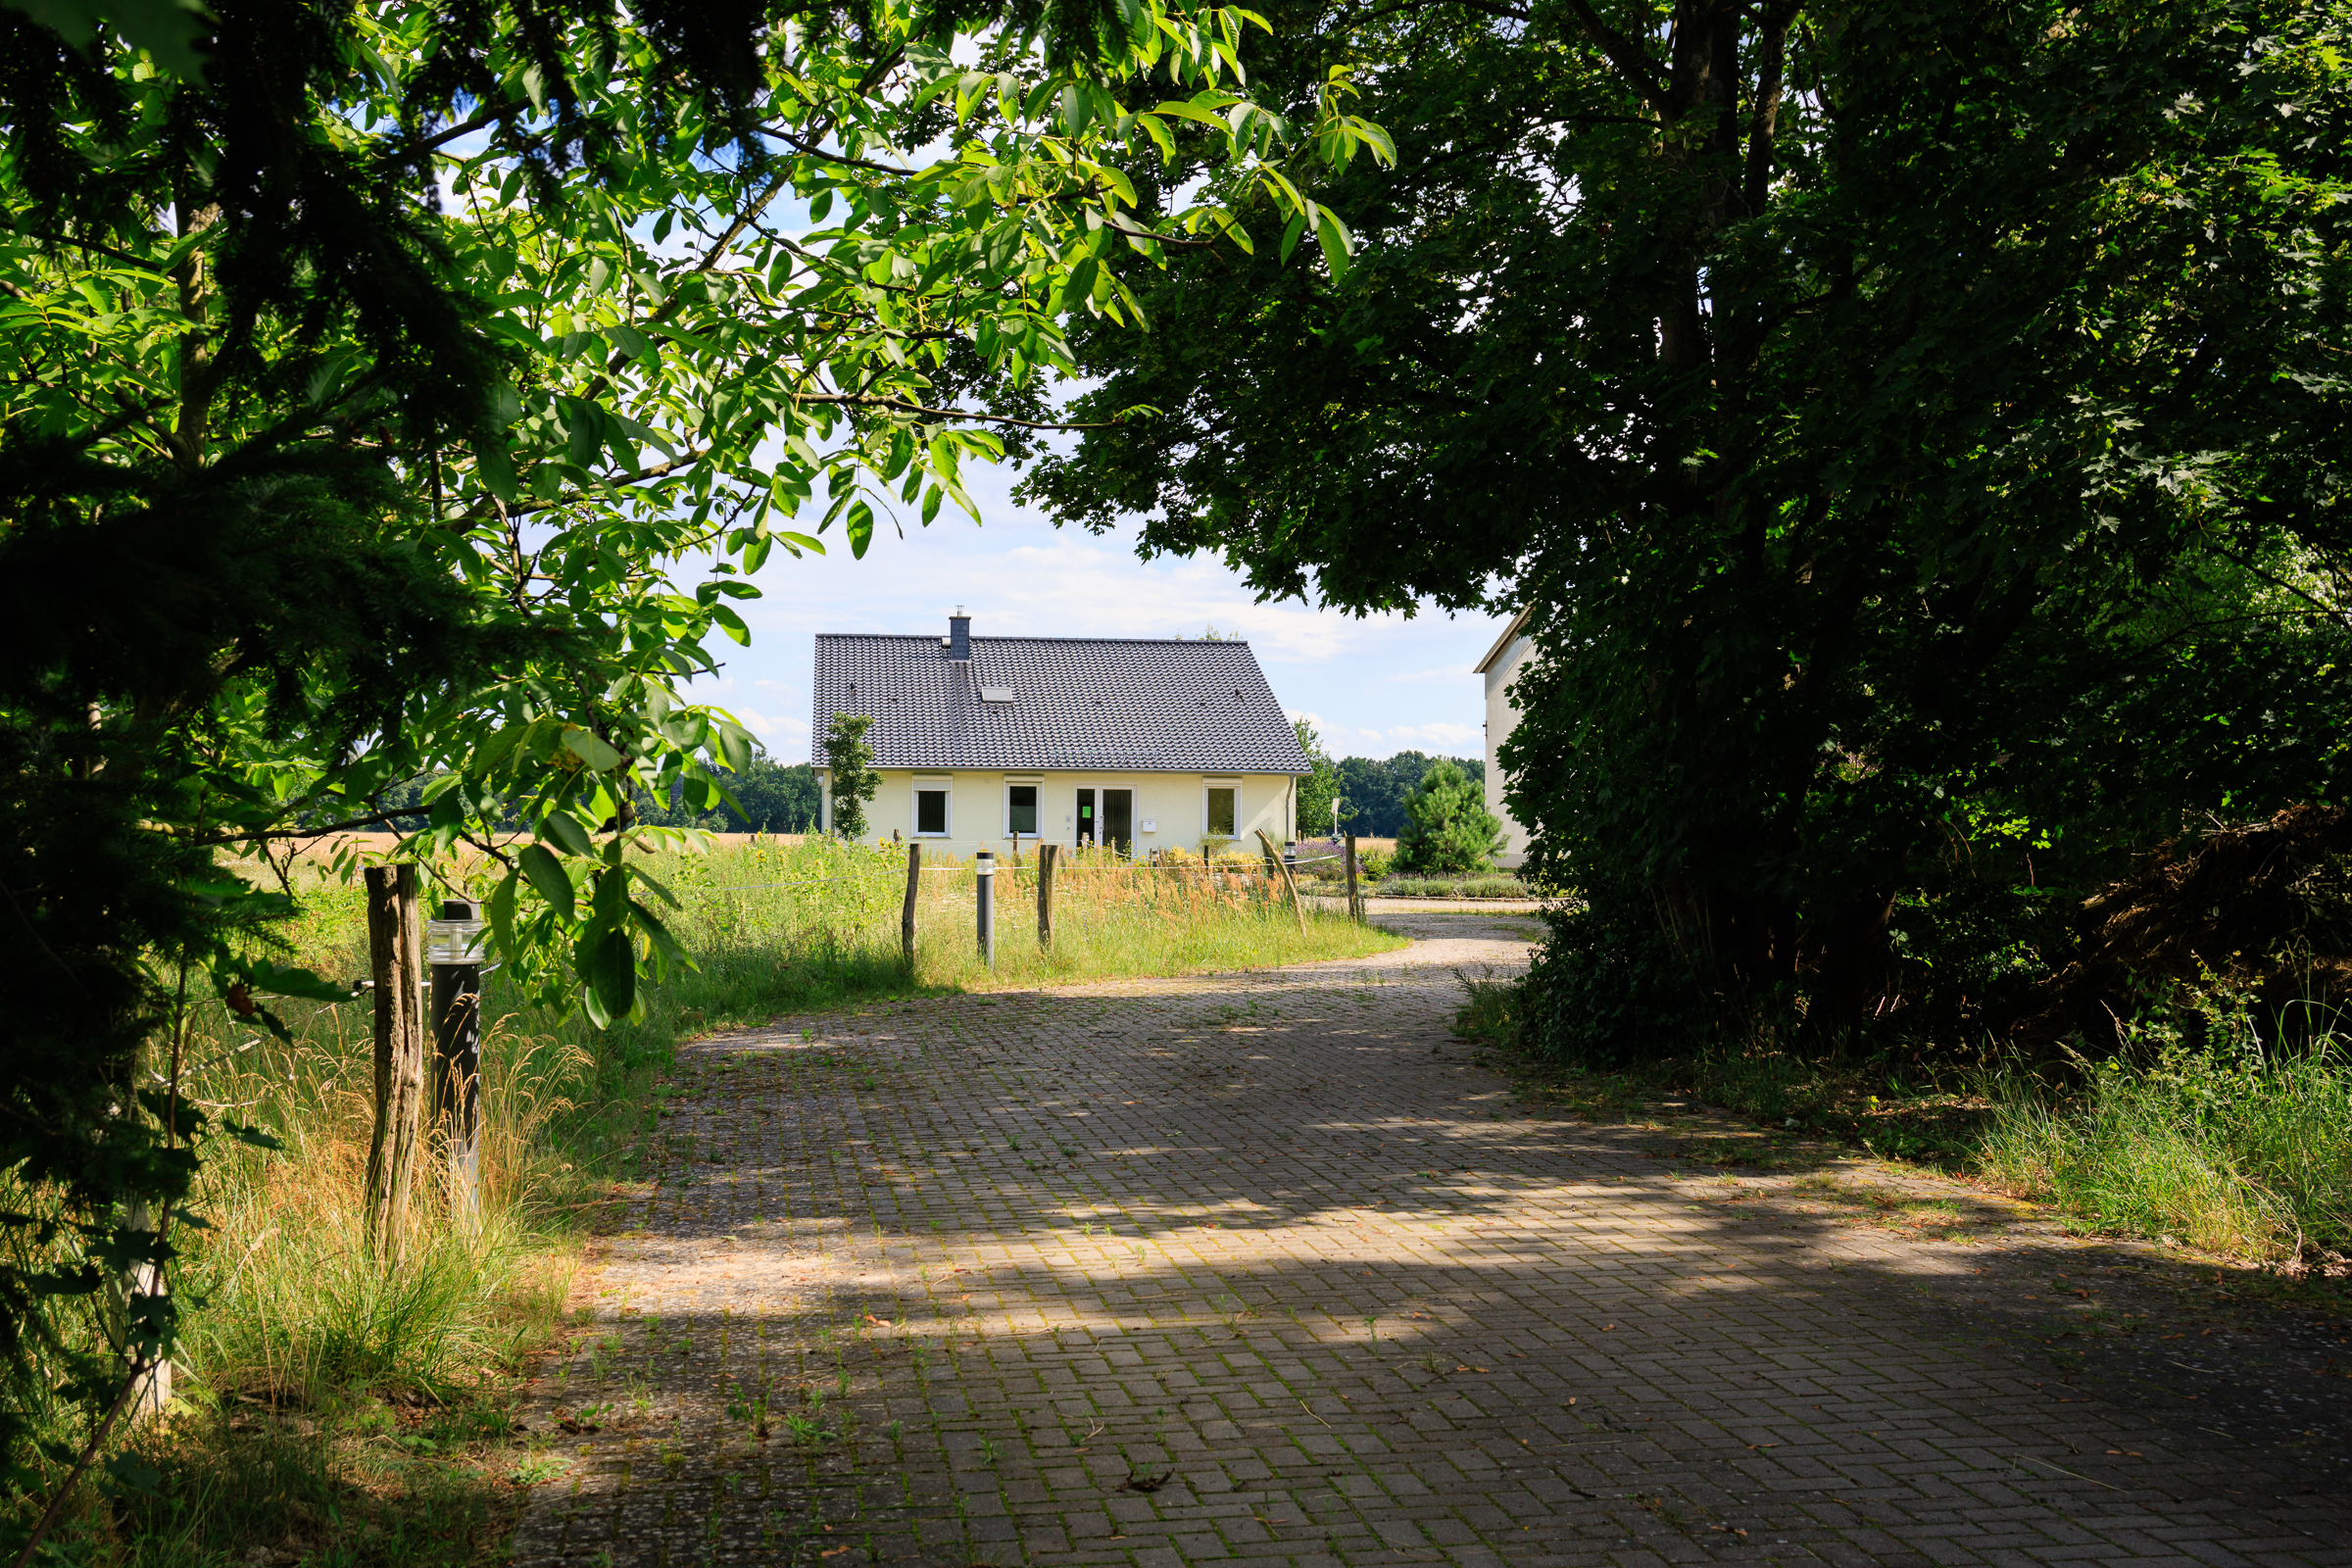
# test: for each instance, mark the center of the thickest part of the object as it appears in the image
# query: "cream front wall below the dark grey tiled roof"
(1170, 810)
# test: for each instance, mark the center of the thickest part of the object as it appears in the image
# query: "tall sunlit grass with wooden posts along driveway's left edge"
(354, 1407)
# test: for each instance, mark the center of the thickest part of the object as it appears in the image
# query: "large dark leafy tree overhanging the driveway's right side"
(1916, 434)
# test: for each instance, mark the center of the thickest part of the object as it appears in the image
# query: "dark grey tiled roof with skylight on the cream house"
(1076, 704)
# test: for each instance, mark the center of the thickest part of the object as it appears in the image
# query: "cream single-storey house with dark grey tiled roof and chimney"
(1135, 744)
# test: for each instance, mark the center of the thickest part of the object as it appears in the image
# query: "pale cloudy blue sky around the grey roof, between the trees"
(1372, 688)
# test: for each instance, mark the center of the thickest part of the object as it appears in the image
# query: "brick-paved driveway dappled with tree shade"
(1262, 1271)
